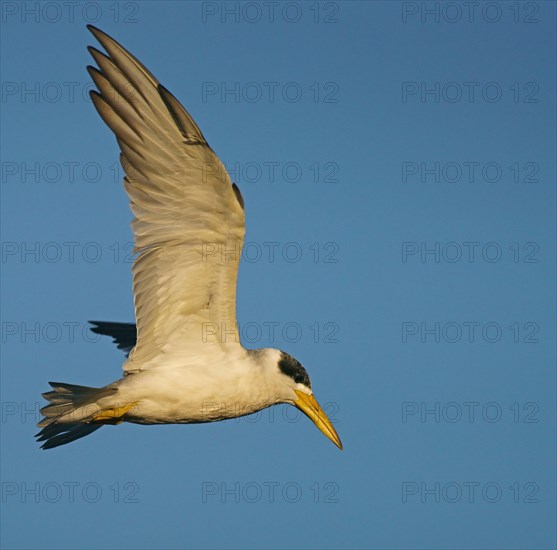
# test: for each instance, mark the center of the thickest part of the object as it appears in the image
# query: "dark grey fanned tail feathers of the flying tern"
(68, 415)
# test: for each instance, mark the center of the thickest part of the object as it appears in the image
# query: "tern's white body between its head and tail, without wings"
(233, 385)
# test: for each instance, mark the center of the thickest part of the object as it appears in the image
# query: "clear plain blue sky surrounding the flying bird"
(404, 169)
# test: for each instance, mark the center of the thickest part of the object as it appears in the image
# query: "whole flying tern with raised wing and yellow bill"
(186, 209)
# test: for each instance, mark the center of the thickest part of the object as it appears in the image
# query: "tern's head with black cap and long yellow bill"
(295, 389)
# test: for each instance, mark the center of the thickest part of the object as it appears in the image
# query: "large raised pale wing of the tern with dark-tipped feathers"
(189, 217)
